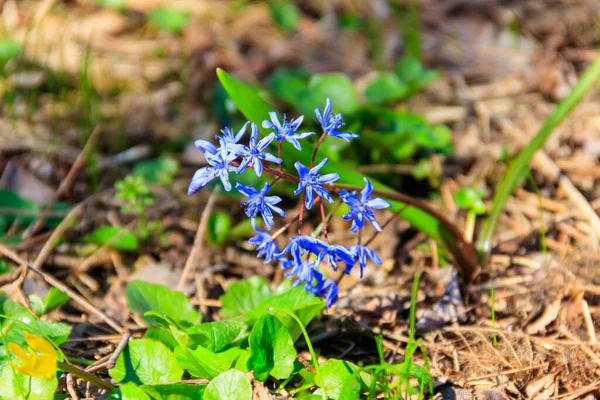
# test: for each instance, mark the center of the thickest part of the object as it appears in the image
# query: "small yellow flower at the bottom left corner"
(39, 361)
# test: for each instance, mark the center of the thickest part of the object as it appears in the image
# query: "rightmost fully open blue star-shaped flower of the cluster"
(361, 208)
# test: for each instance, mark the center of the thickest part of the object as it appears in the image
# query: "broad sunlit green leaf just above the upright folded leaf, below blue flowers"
(306, 306)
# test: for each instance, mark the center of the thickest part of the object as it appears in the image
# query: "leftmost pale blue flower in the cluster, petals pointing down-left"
(218, 166)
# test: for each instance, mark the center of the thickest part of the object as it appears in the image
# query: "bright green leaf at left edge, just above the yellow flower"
(15, 319)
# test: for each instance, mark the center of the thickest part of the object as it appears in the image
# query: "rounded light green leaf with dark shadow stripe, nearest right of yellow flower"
(146, 361)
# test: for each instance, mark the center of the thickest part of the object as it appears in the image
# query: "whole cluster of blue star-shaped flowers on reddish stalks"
(304, 256)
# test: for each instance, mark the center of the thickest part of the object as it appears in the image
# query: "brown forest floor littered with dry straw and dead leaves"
(504, 67)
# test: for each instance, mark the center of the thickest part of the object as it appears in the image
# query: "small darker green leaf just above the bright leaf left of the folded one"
(217, 335)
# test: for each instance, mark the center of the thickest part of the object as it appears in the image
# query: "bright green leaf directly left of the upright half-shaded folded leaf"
(203, 363)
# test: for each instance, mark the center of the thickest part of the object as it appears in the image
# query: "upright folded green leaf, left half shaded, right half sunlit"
(271, 349)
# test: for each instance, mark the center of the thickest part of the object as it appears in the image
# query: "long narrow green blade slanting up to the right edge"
(518, 166)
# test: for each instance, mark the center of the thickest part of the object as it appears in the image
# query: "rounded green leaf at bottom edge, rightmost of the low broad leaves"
(336, 377)
